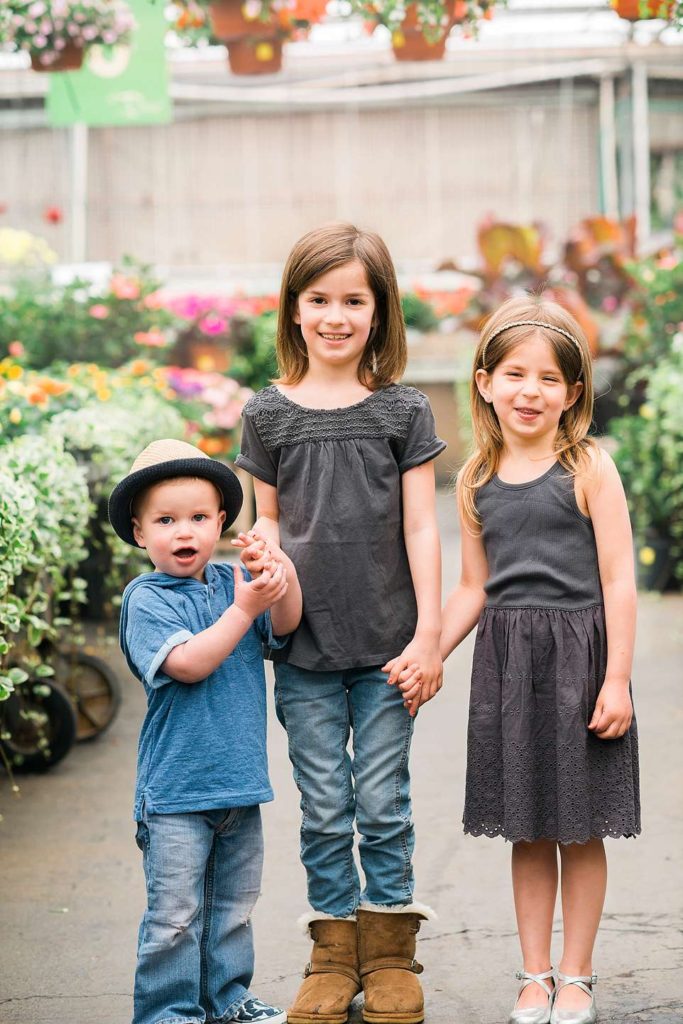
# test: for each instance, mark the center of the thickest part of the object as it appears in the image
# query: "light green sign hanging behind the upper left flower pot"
(127, 86)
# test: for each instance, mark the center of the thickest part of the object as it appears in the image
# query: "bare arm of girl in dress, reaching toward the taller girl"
(466, 602)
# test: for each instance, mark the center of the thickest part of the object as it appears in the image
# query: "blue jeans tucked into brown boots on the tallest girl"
(319, 711)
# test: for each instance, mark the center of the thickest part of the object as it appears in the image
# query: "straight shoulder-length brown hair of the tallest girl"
(320, 251)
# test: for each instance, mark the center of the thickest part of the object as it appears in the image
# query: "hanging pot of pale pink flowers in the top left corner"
(56, 33)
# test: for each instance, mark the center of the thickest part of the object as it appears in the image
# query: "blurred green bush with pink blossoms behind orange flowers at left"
(75, 323)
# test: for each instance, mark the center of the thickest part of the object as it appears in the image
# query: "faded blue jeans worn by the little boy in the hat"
(196, 951)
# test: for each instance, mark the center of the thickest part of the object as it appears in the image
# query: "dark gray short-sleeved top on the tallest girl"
(338, 478)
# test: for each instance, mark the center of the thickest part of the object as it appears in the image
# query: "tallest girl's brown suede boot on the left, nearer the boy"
(331, 979)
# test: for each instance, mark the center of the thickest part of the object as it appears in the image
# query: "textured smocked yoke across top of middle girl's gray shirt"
(386, 414)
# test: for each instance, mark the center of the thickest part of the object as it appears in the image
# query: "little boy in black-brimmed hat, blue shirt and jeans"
(192, 632)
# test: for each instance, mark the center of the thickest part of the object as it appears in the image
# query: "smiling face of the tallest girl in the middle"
(336, 314)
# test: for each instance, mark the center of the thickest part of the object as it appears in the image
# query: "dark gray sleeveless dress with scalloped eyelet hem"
(534, 771)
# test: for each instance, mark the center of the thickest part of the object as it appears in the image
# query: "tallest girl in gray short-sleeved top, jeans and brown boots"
(343, 460)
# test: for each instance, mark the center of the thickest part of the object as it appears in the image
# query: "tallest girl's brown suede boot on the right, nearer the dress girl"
(389, 968)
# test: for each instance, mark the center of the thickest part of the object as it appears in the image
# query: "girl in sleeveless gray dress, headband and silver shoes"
(547, 572)
